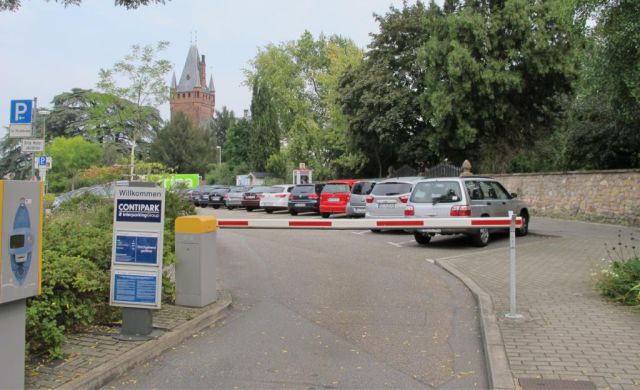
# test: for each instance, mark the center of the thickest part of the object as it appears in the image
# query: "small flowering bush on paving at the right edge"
(621, 280)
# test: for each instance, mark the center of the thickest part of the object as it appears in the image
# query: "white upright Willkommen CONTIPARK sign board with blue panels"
(138, 230)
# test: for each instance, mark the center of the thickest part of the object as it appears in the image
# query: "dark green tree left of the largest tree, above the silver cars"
(381, 96)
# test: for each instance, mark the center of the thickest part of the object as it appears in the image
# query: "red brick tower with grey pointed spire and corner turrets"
(192, 96)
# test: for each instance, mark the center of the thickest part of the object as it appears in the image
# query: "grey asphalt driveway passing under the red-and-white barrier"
(331, 309)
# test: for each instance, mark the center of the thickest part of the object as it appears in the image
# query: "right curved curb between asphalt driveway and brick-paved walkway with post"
(498, 372)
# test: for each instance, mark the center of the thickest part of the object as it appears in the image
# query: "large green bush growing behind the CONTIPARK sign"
(76, 270)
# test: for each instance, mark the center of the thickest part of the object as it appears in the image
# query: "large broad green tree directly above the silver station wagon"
(496, 74)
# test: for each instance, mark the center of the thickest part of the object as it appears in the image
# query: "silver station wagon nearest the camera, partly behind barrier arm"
(471, 196)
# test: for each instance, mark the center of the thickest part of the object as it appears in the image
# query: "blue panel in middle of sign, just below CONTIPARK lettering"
(136, 248)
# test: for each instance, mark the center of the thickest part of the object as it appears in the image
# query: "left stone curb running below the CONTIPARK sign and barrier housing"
(99, 376)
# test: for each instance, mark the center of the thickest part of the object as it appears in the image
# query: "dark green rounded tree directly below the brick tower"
(182, 146)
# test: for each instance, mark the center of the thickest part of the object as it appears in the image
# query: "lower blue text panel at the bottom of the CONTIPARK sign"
(131, 287)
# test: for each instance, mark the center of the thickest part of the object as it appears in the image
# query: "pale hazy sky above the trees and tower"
(47, 49)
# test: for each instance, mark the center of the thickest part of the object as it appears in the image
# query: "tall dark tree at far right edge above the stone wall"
(604, 117)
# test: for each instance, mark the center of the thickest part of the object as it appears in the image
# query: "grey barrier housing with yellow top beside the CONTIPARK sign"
(195, 260)
